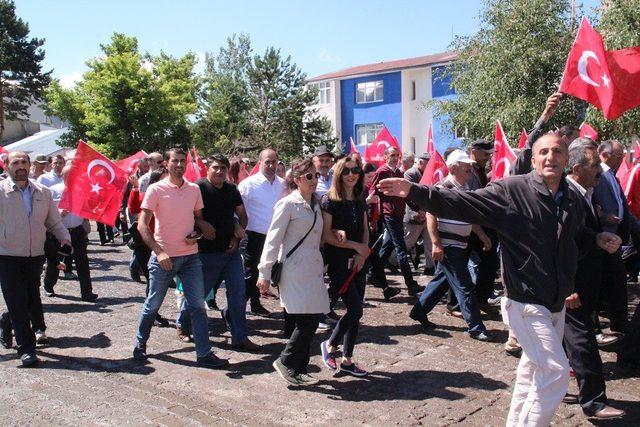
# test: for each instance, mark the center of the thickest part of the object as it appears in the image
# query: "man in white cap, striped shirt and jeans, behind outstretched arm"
(449, 241)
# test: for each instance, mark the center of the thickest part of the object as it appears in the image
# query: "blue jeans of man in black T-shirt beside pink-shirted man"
(227, 266)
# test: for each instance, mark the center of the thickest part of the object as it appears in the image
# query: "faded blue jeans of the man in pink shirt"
(189, 269)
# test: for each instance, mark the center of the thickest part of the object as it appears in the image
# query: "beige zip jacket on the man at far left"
(21, 235)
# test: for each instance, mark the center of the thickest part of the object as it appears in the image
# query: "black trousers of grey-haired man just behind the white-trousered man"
(584, 357)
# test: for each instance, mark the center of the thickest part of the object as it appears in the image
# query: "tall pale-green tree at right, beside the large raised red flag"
(510, 66)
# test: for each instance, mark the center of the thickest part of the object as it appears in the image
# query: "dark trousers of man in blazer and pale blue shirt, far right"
(614, 290)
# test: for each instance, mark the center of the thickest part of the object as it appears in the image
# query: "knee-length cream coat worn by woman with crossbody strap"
(302, 288)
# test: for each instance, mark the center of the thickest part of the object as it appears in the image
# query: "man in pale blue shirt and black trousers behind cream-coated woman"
(259, 192)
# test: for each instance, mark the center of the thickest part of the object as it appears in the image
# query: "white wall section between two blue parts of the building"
(416, 118)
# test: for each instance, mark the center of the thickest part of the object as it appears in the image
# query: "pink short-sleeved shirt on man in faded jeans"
(173, 208)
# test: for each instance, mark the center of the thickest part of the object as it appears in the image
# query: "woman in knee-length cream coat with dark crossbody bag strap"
(303, 293)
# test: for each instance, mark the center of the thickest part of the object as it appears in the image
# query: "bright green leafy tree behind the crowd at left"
(128, 101)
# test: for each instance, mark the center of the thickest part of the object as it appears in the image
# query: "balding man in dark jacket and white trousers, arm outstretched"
(540, 227)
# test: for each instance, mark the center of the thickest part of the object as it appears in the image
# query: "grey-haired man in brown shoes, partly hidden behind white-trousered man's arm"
(579, 333)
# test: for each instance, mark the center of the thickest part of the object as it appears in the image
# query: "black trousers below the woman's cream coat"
(297, 352)
